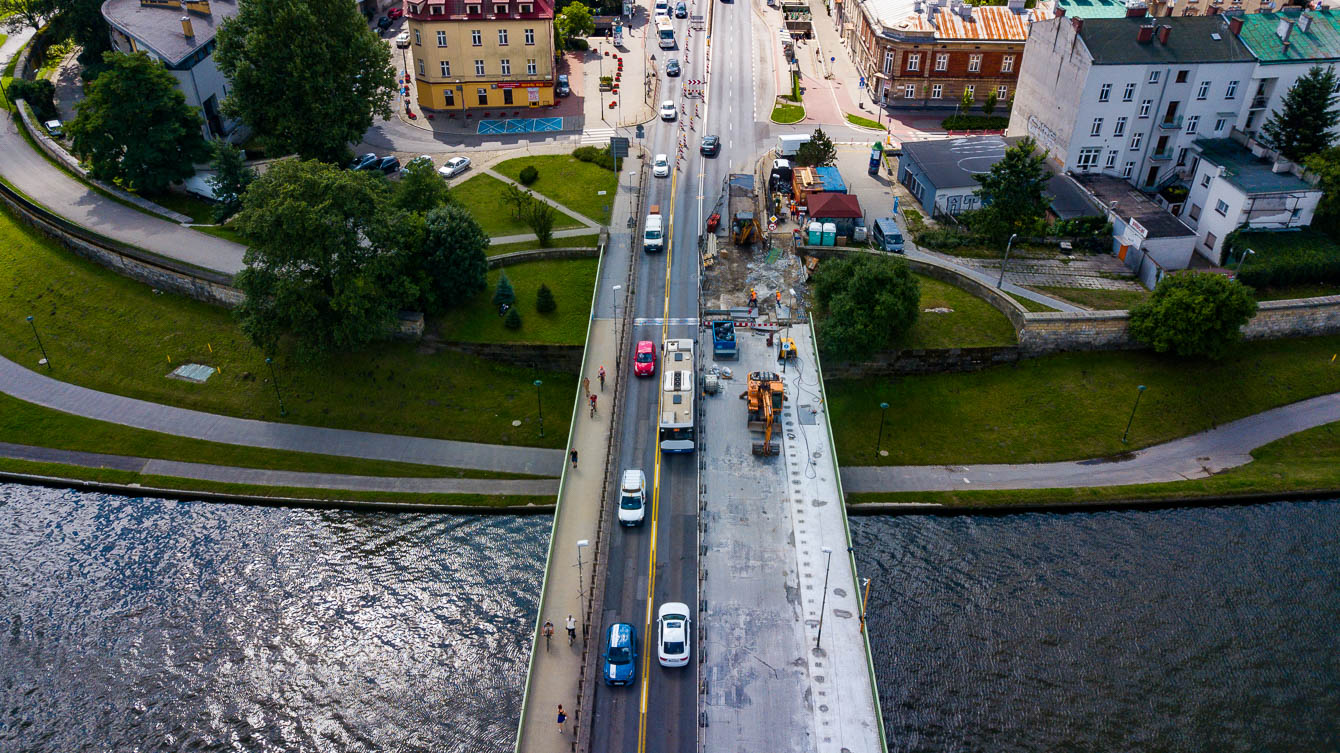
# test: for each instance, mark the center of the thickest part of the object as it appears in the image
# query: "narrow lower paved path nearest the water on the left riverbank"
(290, 479)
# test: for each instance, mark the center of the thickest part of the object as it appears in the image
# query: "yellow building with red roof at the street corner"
(480, 54)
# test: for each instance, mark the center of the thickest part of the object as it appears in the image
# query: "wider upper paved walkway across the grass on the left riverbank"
(38, 389)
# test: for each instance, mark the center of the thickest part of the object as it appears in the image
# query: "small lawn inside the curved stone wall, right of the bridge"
(974, 324)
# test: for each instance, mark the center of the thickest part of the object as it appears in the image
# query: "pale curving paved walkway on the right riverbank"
(1197, 456)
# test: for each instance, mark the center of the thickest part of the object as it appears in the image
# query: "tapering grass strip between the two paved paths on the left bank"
(29, 424)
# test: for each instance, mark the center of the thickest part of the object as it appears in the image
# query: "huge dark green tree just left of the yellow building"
(308, 76)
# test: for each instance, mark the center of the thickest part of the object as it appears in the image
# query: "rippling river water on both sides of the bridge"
(148, 625)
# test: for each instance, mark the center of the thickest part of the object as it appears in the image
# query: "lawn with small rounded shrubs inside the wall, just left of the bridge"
(572, 281)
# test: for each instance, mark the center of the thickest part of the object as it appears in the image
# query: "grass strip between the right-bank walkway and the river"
(1309, 462)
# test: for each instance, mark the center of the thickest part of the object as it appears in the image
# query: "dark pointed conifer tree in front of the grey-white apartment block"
(1012, 192)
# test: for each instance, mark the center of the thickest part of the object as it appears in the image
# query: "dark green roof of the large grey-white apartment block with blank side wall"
(1193, 40)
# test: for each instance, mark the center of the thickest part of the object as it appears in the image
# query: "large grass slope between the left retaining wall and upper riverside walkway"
(113, 334)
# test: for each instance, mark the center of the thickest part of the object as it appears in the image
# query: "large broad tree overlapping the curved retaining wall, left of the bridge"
(312, 273)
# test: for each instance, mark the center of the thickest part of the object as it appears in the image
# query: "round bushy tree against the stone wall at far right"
(1193, 314)
